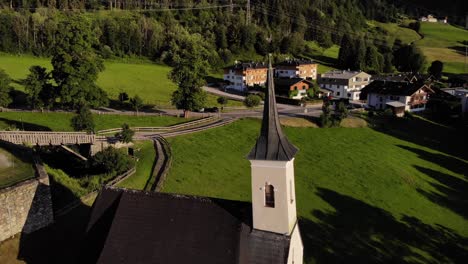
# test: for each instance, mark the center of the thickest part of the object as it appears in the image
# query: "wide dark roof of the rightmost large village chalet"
(393, 88)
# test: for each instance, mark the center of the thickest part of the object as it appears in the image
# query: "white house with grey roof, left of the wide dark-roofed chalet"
(344, 84)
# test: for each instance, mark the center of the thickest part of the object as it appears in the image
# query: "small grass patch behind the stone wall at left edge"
(14, 167)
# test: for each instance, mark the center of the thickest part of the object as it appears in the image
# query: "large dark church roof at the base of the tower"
(141, 227)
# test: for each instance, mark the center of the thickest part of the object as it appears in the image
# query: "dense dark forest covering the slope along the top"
(155, 28)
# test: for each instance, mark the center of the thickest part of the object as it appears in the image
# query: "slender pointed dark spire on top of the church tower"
(272, 144)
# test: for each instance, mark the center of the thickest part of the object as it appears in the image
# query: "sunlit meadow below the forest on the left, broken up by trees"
(149, 81)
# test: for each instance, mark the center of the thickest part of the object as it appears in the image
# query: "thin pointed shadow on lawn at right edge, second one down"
(453, 164)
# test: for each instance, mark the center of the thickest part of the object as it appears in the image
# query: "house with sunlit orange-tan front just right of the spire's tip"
(305, 69)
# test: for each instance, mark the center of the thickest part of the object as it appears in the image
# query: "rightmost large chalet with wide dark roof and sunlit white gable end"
(400, 96)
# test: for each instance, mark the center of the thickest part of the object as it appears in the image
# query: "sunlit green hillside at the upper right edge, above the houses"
(443, 42)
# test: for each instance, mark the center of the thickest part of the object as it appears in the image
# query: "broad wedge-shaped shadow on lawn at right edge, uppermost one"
(419, 131)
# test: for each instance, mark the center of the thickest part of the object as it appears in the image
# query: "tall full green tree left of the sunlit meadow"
(76, 66)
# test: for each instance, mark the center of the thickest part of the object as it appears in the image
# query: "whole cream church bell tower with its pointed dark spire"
(272, 168)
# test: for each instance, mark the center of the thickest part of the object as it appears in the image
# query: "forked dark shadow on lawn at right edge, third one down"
(452, 192)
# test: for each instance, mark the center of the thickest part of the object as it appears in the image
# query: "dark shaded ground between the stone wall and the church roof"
(60, 242)
